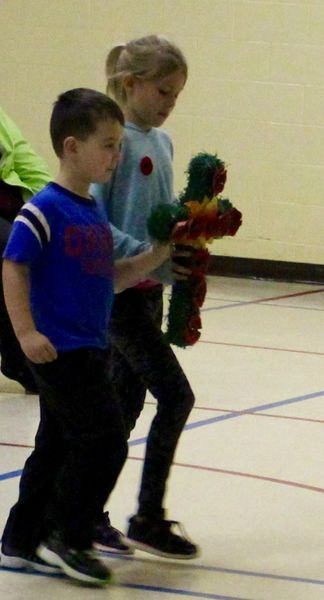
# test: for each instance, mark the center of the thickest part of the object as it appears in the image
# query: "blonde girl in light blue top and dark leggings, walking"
(146, 76)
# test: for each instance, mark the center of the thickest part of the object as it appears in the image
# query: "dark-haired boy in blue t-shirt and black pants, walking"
(59, 280)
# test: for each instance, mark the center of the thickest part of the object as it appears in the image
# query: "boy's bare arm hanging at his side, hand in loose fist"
(35, 345)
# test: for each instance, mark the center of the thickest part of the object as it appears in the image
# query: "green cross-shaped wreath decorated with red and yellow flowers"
(200, 216)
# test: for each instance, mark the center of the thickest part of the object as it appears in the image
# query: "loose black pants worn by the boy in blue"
(80, 448)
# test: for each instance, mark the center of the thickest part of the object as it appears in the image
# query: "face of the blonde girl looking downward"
(149, 103)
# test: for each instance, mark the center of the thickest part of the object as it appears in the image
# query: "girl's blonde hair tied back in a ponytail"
(149, 58)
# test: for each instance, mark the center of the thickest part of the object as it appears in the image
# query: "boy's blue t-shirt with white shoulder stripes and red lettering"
(67, 243)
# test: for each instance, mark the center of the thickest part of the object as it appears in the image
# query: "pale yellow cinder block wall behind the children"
(255, 95)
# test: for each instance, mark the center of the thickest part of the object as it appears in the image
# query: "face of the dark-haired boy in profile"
(98, 155)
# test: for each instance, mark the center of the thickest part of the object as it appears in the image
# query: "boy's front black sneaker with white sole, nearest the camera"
(82, 565)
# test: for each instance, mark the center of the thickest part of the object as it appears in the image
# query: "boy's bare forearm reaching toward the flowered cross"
(130, 270)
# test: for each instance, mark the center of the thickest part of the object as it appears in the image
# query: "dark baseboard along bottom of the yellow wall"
(233, 266)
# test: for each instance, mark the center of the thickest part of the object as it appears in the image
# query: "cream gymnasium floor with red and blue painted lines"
(248, 478)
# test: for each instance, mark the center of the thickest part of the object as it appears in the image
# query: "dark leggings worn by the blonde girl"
(142, 360)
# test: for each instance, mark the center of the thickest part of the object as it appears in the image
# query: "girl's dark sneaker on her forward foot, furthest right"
(156, 537)
